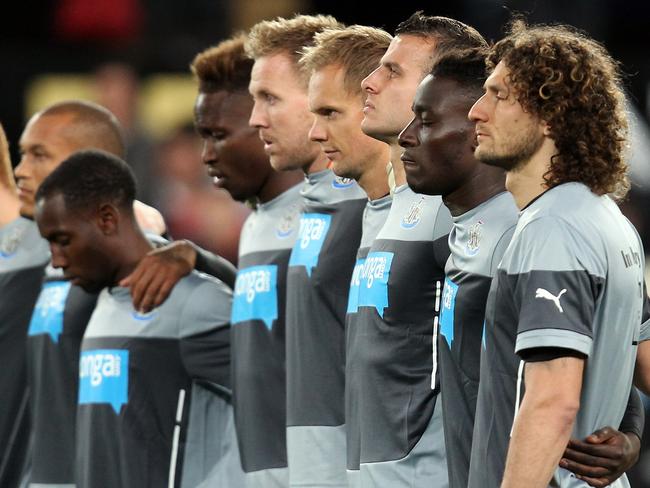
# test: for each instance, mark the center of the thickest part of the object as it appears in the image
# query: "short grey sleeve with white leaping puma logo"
(556, 281)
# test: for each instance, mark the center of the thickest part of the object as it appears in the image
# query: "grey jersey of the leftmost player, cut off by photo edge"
(23, 256)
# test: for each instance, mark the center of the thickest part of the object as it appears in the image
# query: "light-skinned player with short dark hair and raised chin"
(393, 365)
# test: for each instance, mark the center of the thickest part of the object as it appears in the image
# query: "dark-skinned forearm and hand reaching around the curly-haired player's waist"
(603, 456)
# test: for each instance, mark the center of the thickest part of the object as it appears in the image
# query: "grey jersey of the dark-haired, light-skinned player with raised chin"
(393, 360)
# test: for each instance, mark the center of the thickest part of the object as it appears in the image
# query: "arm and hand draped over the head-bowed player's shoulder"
(159, 271)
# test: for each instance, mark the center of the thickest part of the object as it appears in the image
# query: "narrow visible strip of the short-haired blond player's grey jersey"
(374, 217)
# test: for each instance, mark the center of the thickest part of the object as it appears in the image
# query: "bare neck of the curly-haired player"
(526, 182)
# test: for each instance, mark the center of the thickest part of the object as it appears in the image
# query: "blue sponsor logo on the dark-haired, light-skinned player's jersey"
(373, 281)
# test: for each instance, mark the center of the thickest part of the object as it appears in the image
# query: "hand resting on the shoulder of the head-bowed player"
(157, 274)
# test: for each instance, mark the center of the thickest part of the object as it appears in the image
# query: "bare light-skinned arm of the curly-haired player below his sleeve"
(544, 421)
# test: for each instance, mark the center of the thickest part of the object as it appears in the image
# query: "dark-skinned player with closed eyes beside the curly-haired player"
(484, 217)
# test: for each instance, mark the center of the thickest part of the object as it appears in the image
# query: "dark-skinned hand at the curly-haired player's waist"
(602, 457)
